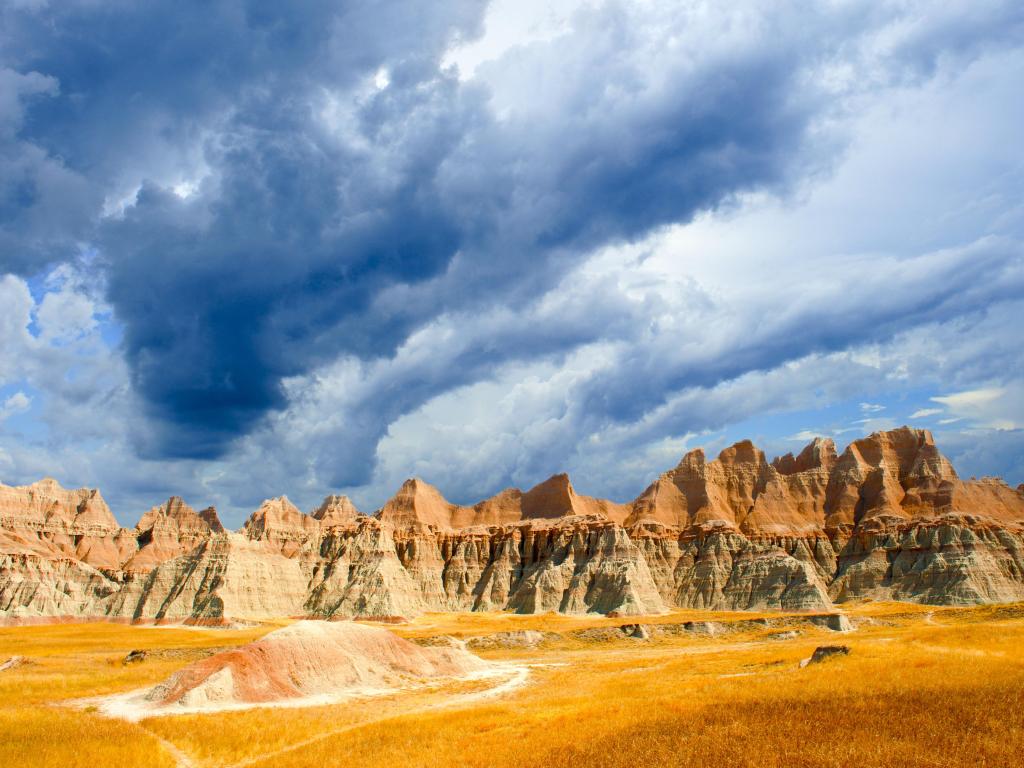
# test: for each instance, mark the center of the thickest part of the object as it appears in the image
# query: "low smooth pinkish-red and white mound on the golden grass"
(306, 664)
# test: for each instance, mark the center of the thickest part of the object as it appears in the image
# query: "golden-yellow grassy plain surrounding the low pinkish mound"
(921, 688)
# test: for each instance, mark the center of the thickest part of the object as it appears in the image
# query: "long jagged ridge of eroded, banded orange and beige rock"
(889, 519)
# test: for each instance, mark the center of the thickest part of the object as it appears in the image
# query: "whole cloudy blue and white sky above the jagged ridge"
(252, 249)
